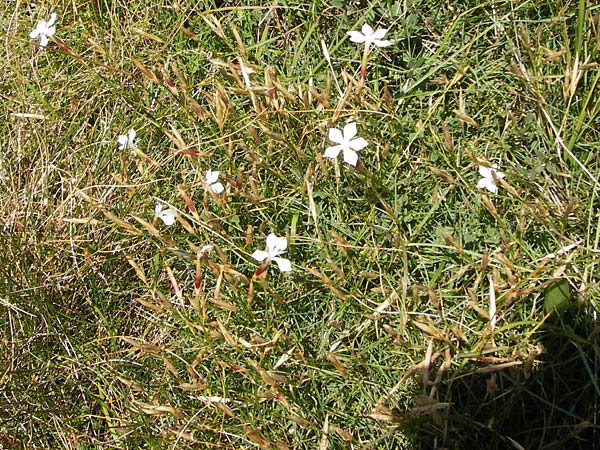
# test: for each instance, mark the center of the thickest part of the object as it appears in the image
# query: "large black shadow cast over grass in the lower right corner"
(554, 407)
